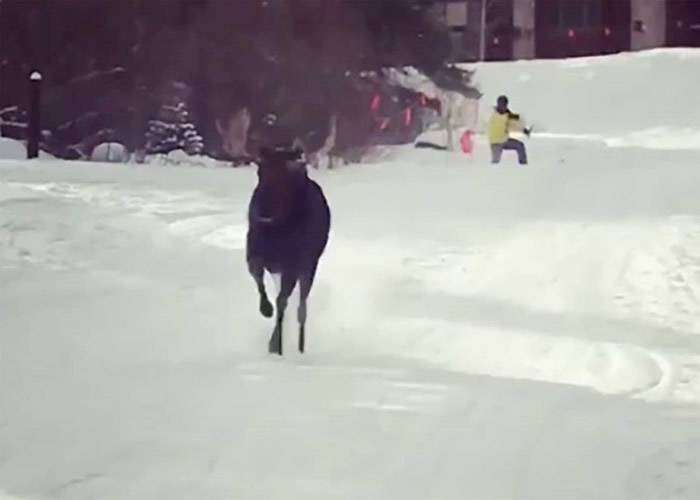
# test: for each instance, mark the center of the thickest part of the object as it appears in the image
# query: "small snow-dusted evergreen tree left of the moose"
(173, 129)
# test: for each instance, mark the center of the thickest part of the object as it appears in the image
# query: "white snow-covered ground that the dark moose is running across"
(475, 332)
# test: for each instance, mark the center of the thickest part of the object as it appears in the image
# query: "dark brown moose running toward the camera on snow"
(288, 226)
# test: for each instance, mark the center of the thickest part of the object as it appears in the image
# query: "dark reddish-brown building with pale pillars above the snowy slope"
(526, 29)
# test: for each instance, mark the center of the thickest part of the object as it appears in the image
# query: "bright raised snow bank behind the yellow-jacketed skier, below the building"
(630, 96)
